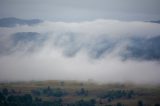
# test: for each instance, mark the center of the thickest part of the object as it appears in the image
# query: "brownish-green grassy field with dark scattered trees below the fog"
(74, 93)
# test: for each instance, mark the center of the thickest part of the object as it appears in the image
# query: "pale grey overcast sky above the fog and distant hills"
(78, 10)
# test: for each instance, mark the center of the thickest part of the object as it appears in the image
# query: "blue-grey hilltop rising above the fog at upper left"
(12, 22)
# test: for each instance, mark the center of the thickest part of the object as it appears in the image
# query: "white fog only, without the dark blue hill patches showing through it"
(48, 62)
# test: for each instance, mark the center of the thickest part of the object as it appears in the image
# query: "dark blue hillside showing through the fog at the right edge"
(143, 48)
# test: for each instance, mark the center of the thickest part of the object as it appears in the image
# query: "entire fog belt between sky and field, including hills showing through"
(103, 50)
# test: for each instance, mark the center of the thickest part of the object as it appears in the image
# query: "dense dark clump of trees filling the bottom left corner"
(8, 98)
